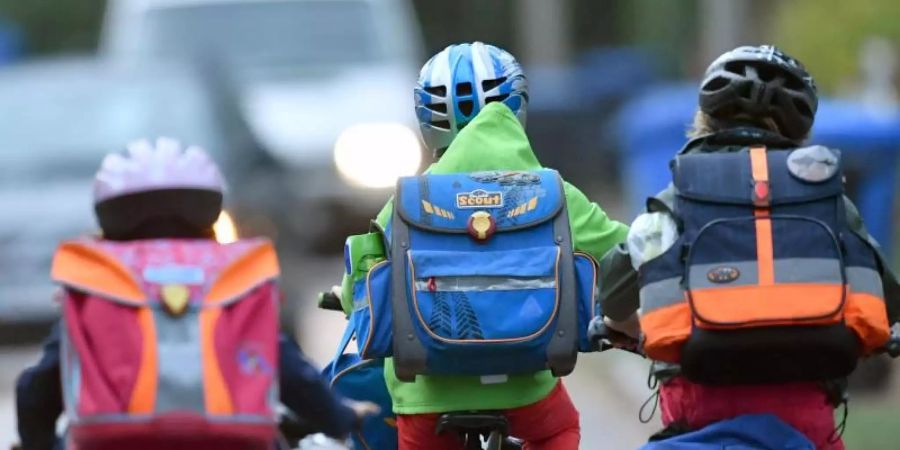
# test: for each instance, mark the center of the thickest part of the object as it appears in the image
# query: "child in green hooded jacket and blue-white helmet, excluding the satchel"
(536, 405)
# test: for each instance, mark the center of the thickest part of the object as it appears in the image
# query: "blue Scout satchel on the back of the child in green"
(481, 279)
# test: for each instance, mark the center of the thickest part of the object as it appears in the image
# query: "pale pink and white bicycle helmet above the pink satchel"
(158, 190)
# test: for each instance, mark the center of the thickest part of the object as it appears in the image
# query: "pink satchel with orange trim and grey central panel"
(169, 343)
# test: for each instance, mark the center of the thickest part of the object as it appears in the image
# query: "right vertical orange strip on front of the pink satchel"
(215, 392)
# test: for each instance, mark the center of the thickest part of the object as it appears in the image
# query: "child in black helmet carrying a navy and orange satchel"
(751, 272)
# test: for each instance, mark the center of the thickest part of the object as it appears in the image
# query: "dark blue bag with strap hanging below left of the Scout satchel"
(363, 379)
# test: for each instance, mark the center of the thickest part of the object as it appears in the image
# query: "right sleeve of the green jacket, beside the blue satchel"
(593, 232)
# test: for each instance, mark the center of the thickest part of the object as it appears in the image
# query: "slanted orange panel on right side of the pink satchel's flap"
(257, 265)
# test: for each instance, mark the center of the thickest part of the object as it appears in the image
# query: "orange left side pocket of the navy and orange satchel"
(665, 331)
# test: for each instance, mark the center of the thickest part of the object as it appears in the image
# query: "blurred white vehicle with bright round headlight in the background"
(326, 85)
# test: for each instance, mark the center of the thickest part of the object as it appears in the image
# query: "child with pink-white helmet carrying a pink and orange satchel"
(156, 205)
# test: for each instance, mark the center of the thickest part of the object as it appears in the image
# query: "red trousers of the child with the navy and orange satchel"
(803, 406)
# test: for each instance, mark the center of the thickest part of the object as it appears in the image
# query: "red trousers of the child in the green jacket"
(550, 424)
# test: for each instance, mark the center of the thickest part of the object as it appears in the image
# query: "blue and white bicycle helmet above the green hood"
(456, 83)
